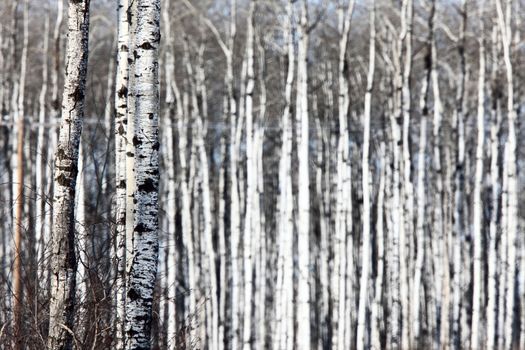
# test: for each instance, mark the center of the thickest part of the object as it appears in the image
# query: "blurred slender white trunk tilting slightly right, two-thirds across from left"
(366, 253)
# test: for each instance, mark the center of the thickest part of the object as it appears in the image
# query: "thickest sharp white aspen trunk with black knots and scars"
(143, 268)
